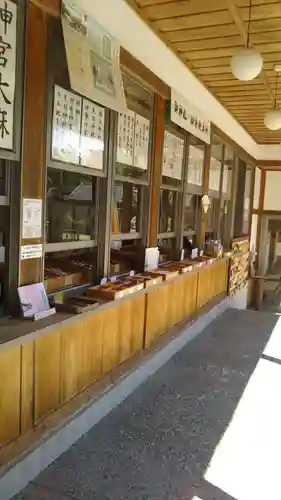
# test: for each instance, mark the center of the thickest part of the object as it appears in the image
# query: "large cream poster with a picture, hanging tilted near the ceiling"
(92, 58)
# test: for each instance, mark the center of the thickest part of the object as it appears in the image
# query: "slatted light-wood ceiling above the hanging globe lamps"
(206, 33)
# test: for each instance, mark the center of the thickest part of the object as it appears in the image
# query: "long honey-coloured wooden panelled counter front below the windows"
(41, 370)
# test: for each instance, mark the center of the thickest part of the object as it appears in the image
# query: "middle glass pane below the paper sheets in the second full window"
(126, 208)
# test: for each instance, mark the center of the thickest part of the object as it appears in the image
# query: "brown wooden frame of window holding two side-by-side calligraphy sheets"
(55, 41)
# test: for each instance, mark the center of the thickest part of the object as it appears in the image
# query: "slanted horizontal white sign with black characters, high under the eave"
(187, 116)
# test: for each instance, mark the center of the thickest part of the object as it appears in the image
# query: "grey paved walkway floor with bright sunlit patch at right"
(205, 427)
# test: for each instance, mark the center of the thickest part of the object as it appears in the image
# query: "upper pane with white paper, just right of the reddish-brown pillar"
(173, 150)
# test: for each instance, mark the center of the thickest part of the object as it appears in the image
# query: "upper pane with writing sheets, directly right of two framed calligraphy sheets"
(134, 127)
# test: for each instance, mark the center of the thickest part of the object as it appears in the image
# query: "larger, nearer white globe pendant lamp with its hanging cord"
(247, 63)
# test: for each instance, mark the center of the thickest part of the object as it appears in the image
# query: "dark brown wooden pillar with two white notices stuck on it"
(33, 160)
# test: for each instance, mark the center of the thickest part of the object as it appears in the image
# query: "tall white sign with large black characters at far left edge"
(8, 50)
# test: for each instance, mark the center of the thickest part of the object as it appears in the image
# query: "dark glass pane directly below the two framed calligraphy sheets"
(71, 200)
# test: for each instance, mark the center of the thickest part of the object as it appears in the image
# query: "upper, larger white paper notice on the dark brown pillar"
(31, 218)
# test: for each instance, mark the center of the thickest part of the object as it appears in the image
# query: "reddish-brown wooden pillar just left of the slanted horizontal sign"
(156, 169)
